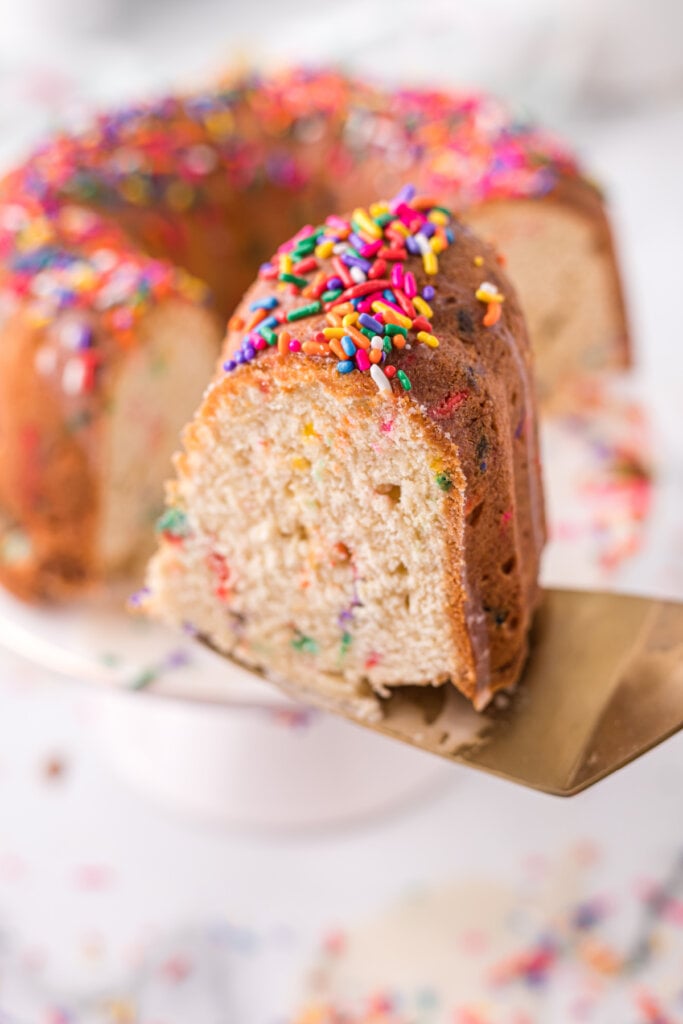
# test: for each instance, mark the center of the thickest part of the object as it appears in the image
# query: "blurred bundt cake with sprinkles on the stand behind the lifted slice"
(123, 246)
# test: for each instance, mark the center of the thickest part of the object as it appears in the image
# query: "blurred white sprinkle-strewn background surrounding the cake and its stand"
(473, 904)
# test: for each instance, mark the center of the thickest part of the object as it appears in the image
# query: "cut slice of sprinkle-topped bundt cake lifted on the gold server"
(358, 504)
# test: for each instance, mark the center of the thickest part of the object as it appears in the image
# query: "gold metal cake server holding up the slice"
(604, 685)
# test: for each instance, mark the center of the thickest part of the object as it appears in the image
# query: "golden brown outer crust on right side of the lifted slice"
(480, 393)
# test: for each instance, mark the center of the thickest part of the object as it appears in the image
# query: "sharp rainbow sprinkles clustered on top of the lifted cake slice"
(341, 270)
